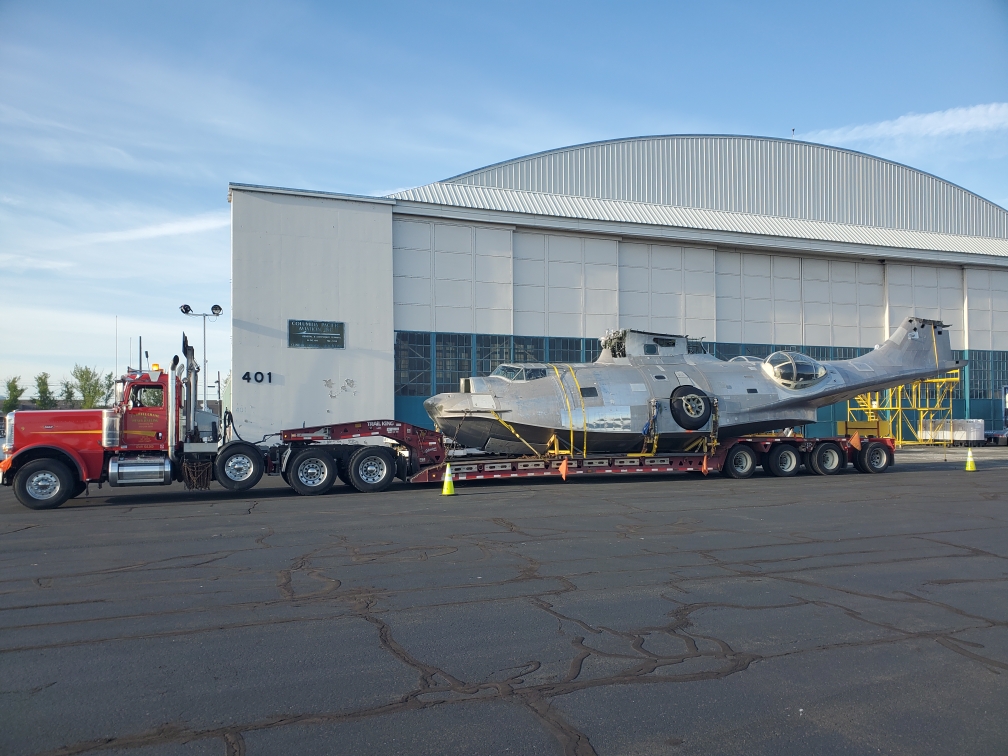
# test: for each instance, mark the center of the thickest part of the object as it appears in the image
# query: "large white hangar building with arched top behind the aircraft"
(357, 308)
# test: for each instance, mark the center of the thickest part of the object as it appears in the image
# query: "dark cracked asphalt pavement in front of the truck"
(854, 614)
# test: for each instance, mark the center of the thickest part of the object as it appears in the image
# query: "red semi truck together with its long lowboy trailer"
(155, 436)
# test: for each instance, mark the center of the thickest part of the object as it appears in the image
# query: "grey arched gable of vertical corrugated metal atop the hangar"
(755, 176)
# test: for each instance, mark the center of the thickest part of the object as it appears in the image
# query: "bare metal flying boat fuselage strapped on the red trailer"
(611, 405)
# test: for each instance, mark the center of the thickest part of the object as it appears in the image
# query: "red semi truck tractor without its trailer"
(154, 435)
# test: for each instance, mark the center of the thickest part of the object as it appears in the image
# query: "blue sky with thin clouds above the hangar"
(122, 123)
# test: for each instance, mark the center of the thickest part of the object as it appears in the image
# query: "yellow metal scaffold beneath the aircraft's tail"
(915, 414)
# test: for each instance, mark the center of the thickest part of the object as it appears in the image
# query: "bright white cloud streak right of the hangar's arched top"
(977, 119)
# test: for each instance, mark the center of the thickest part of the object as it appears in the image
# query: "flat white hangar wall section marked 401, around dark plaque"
(298, 257)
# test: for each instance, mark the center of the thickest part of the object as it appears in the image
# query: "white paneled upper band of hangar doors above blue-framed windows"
(470, 279)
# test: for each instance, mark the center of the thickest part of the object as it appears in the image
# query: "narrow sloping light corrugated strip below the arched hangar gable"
(566, 206)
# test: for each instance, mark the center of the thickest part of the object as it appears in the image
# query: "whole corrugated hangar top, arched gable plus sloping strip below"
(774, 188)
